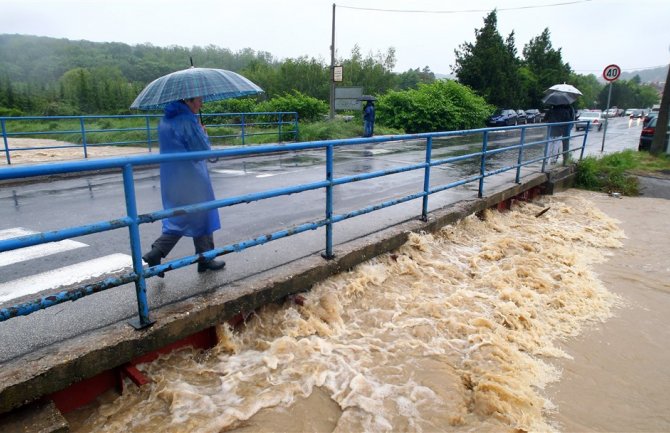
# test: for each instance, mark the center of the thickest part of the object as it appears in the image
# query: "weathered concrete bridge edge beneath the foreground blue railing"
(55, 368)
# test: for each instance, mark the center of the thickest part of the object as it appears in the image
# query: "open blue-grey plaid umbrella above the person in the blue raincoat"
(210, 84)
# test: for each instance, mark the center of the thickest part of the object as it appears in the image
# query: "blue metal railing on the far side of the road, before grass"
(140, 129)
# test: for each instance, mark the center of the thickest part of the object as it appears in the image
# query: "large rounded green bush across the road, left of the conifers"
(439, 106)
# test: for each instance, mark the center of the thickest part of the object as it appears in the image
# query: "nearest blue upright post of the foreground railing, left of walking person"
(136, 250)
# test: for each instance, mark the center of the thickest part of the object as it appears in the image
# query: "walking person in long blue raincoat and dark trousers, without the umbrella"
(185, 183)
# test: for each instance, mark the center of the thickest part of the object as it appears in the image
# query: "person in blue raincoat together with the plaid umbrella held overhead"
(185, 183)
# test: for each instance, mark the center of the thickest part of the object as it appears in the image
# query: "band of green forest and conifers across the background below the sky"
(49, 76)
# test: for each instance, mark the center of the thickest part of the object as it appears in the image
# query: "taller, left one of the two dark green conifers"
(489, 65)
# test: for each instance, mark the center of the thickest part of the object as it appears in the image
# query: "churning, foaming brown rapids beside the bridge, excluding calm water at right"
(454, 331)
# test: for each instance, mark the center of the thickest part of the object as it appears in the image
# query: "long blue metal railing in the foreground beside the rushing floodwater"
(538, 141)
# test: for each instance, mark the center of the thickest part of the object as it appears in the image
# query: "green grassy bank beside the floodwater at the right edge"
(617, 172)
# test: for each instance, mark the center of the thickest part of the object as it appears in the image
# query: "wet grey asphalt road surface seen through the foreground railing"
(68, 203)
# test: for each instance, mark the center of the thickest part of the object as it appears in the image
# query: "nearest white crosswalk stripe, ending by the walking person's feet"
(66, 276)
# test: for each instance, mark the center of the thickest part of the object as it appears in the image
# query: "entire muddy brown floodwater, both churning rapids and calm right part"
(511, 323)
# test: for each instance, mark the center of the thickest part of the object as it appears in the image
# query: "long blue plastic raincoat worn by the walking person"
(185, 182)
